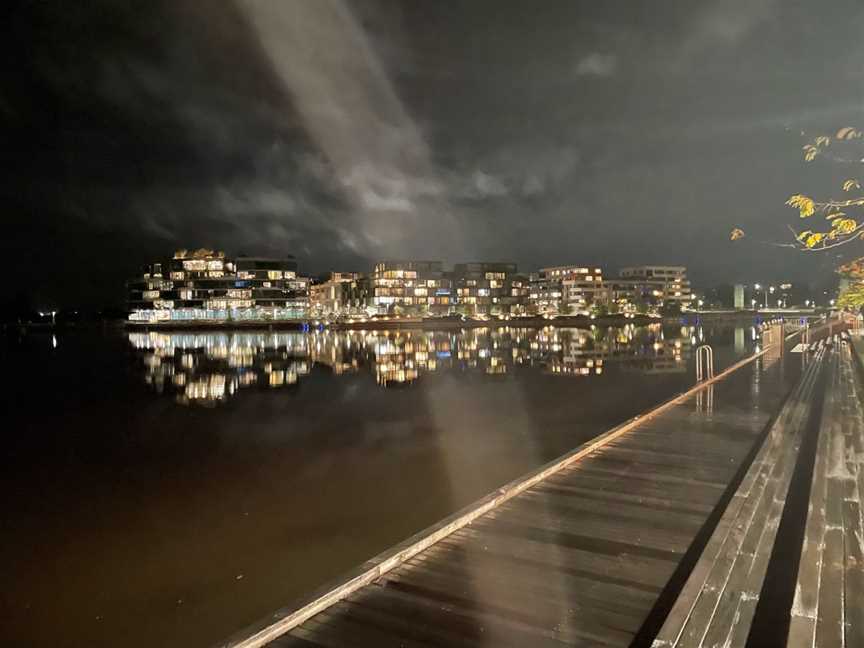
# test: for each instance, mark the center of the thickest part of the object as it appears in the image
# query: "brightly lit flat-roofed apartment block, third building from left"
(412, 286)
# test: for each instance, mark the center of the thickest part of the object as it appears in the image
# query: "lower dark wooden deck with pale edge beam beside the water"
(579, 558)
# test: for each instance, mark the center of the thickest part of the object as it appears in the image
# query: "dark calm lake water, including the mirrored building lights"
(168, 489)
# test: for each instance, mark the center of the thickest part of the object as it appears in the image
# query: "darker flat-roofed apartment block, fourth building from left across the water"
(487, 288)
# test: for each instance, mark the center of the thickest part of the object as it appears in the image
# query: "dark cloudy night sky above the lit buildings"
(542, 131)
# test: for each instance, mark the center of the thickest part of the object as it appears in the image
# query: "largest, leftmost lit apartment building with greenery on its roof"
(205, 285)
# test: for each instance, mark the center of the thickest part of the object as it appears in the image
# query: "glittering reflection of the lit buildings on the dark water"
(206, 368)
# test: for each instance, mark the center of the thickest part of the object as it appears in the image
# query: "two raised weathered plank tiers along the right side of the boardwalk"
(716, 607)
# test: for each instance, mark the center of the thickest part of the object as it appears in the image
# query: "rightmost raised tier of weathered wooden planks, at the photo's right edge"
(828, 610)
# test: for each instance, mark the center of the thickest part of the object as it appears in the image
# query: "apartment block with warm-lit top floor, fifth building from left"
(566, 289)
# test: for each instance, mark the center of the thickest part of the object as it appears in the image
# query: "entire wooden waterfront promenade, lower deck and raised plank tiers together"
(684, 528)
